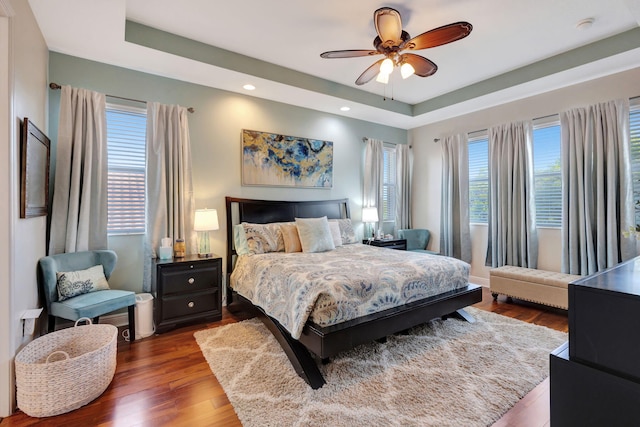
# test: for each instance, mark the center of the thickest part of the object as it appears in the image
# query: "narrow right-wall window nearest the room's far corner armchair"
(478, 179)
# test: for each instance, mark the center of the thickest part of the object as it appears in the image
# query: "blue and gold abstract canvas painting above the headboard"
(286, 161)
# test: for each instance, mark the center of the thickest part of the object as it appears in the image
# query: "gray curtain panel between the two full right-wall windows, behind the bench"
(513, 238)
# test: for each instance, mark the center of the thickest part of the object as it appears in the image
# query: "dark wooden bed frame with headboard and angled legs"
(324, 342)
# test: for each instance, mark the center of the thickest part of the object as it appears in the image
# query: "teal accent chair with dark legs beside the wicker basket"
(91, 305)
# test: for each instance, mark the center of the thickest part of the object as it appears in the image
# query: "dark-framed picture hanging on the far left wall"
(34, 174)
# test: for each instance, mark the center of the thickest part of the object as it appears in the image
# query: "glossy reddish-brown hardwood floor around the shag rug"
(165, 380)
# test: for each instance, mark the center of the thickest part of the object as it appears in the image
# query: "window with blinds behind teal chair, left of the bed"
(126, 140)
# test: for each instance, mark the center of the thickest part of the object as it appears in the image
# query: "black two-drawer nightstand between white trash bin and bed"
(186, 290)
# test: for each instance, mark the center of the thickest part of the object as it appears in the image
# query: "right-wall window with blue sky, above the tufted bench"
(547, 172)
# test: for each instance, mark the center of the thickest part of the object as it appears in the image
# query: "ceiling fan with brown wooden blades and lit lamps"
(392, 40)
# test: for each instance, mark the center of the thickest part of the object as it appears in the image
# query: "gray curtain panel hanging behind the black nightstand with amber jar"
(170, 205)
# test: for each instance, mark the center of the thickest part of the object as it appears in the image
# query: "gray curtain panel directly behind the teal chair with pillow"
(79, 211)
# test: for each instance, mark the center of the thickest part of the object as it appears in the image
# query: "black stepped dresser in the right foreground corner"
(595, 377)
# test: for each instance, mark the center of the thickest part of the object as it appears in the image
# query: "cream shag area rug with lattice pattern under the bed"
(444, 373)
